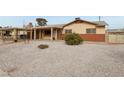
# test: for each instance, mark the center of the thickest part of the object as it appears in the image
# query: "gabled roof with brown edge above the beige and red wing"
(98, 23)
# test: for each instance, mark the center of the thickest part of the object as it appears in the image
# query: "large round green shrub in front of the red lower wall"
(73, 39)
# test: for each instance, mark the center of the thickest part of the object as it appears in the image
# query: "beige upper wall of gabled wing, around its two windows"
(80, 28)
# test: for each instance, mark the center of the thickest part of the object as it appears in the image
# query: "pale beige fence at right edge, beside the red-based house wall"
(116, 38)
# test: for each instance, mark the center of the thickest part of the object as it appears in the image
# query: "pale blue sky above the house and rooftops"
(18, 21)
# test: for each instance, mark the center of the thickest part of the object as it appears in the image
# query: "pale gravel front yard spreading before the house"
(20, 59)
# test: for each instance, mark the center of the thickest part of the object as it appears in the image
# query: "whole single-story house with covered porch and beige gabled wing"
(91, 31)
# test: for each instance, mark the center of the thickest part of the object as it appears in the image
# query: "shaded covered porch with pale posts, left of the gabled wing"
(45, 33)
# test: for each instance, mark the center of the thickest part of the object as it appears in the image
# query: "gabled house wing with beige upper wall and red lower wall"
(91, 31)
